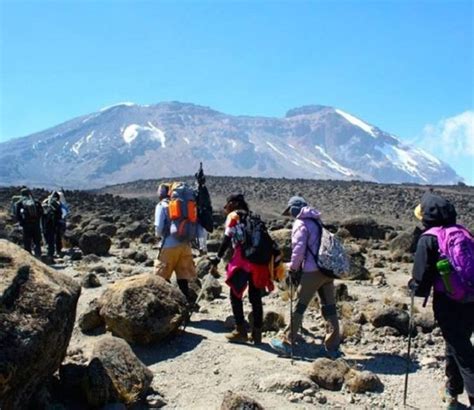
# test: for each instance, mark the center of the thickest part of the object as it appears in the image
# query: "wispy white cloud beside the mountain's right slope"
(452, 137)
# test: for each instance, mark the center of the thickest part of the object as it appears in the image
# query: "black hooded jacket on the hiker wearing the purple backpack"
(437, 211)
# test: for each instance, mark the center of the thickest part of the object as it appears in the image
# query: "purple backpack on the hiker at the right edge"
(456, 244)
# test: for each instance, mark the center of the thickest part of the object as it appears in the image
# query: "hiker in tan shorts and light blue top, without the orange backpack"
(175, 254)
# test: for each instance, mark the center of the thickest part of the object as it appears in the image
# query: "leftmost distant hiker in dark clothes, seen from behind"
(28, 213)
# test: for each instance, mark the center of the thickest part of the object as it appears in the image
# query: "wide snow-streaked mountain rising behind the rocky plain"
(126, 142)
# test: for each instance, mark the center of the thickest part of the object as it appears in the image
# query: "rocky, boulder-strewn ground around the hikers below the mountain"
(127, 344)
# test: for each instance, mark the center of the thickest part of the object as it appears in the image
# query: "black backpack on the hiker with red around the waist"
(257, 245)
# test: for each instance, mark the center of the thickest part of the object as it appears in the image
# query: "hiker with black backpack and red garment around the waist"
(241, 271)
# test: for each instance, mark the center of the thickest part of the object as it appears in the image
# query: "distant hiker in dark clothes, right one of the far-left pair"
(52, 223)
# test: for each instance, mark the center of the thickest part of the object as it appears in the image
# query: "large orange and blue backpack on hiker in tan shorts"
(182, 212)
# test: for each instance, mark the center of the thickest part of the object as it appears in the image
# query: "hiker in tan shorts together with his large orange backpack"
(175, 224)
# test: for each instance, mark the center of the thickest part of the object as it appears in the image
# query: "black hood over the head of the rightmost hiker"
(437, 211)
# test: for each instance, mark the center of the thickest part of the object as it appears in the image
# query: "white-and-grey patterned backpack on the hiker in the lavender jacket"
(332, 258)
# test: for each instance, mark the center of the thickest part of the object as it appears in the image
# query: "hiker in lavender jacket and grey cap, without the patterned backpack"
(305, 272)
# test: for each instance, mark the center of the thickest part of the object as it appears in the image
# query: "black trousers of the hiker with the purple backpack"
(456, 321)
